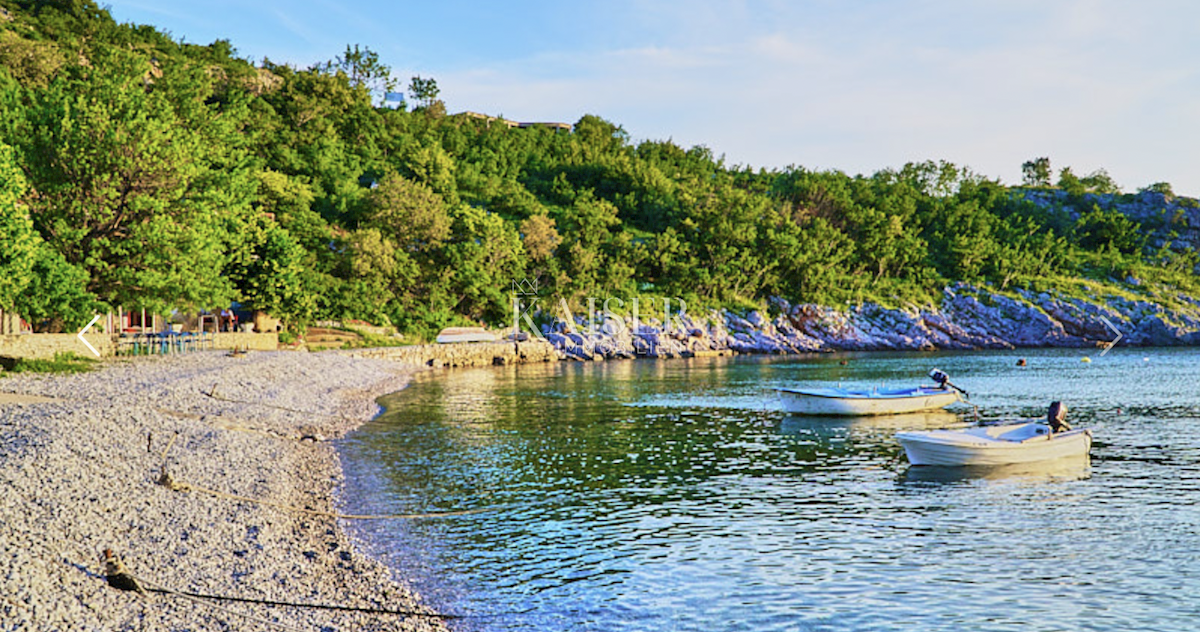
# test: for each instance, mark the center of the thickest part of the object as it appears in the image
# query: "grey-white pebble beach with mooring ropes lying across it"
(81, 459)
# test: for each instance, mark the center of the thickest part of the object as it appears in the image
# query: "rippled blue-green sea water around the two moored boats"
(659, 496)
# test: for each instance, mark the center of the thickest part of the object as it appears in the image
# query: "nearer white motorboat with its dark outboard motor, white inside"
(1003, 444)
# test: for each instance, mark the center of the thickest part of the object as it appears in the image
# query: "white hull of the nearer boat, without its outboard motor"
(964, 448)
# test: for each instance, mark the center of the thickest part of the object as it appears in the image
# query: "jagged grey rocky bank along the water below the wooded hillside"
(968, 318)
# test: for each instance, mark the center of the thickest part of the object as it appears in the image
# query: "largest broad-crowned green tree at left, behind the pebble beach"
(134, 184)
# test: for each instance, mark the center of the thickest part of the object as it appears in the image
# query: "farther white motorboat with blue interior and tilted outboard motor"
(838, 401)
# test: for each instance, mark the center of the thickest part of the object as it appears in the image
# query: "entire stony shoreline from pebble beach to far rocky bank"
(82, 456)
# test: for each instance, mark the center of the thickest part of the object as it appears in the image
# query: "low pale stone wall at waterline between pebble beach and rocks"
(478, 354)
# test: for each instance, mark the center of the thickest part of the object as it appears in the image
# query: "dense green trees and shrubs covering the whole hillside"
(142, 172)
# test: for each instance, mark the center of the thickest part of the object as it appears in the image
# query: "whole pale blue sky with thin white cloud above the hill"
(855, 86)
